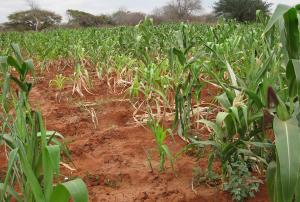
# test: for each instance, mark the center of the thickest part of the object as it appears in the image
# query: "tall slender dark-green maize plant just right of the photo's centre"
(189, 86)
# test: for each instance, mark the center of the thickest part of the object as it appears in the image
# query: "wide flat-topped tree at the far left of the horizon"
(34, 19)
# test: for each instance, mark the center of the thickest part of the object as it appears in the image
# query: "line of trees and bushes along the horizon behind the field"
(175, 11)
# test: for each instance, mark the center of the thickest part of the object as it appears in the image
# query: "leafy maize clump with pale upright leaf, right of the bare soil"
(239, 123)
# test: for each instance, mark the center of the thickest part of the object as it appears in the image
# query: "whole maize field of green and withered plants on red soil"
(178, 112)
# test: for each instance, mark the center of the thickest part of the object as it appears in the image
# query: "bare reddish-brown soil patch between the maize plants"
(111, 159)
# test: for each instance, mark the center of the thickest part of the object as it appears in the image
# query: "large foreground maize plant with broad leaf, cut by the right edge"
(283, 175)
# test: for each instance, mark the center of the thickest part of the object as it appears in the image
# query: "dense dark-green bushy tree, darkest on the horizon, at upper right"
(241, 10)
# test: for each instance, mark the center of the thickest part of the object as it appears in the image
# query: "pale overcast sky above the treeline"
(100, 6)
